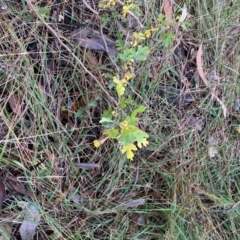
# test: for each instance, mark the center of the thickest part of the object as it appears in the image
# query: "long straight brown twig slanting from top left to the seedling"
(70, 51)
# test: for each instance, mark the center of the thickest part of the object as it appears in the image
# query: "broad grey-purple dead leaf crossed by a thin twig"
(92, 39)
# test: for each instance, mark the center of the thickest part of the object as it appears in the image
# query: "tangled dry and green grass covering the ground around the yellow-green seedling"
(50, 112)
